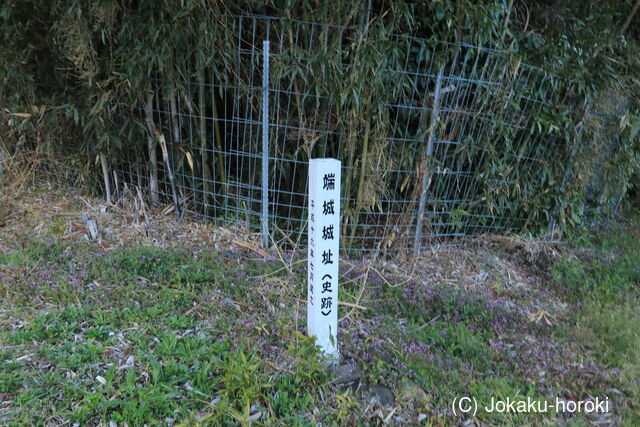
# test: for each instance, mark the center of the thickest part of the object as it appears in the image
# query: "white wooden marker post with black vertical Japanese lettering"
(324, 237)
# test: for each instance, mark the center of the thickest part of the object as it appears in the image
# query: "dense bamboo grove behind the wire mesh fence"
(439, 98)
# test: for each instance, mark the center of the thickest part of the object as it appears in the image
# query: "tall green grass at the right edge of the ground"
(604, 281)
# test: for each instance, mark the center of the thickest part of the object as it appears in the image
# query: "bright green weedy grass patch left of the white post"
(145, 335)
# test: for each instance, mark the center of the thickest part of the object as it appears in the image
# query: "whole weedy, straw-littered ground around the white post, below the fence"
(147, 333)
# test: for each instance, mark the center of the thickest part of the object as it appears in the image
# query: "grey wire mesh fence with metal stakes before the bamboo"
(435, 139)
